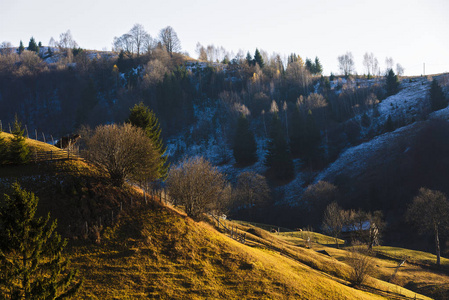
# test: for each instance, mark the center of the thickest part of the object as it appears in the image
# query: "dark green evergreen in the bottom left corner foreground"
(31, 252)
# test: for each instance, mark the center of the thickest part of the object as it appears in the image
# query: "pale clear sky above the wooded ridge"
(411, 32)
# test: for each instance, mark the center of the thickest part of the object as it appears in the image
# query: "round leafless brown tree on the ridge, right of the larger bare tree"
(197, 185)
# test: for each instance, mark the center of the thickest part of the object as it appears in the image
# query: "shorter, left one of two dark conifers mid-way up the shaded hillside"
(245, 147)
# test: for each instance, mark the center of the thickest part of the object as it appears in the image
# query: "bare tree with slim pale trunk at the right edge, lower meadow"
(430, 211)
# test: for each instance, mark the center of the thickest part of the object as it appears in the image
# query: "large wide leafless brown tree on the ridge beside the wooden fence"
(122, 151)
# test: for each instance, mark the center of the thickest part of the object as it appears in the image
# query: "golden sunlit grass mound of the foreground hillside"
(157, 253)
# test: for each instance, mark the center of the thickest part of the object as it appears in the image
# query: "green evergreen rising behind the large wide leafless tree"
(143, 117)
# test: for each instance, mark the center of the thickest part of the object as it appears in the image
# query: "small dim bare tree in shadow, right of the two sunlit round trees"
(252, 189)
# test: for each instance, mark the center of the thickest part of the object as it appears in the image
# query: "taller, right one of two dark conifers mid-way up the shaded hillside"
(278, 158)
